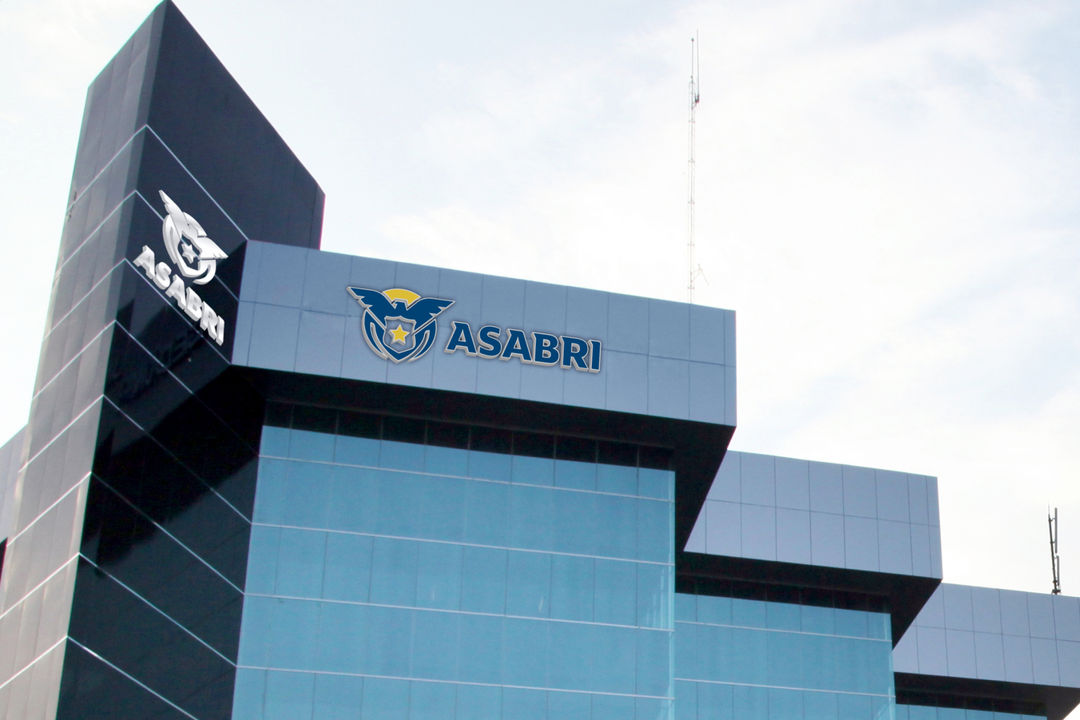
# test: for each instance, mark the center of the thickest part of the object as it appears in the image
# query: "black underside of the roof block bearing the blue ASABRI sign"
(696, 449)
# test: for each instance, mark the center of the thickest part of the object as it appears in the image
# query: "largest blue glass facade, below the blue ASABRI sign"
(403, 570)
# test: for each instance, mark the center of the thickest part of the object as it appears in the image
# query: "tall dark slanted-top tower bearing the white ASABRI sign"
(125, 570)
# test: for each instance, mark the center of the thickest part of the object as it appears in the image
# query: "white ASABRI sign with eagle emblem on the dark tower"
(186, 242)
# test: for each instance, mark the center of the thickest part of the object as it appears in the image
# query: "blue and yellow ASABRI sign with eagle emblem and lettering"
(400, 327)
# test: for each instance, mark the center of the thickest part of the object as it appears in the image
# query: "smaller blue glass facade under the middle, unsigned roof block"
(762, 660)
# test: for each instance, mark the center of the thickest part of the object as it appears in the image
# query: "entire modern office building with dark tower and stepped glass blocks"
(263, 481)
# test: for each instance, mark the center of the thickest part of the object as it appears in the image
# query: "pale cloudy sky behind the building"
(886, 197)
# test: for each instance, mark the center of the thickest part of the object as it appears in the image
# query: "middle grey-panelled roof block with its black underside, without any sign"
(816, 526)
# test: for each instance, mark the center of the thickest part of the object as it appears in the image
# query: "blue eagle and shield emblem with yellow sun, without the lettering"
(399, 324)
